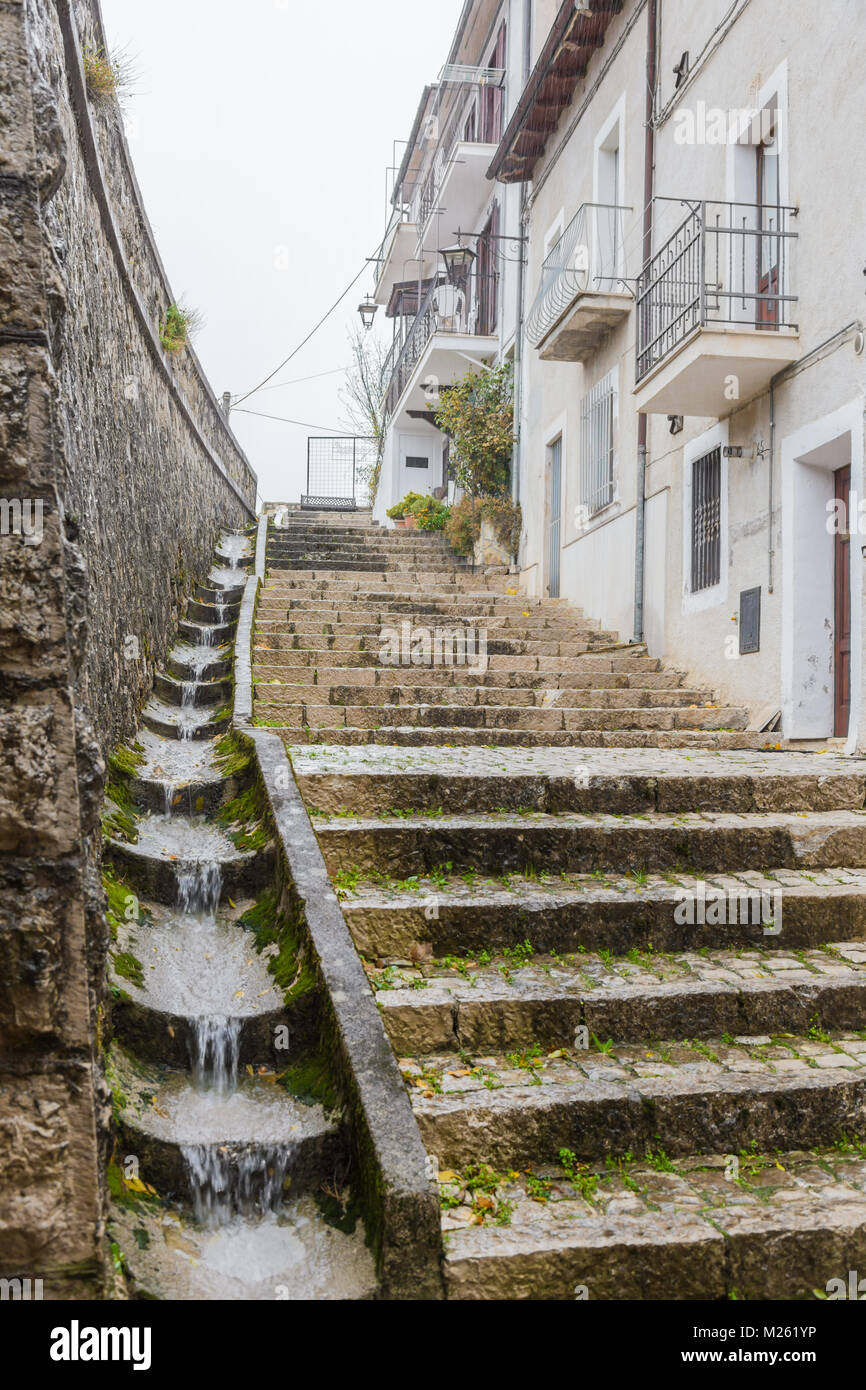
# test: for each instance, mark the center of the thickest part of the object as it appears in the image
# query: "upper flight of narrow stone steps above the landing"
(547, 676)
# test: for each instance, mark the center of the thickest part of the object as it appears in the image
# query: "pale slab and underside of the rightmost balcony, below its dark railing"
(717, 372)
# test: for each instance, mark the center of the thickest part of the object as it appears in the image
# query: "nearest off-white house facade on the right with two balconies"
(692, 402)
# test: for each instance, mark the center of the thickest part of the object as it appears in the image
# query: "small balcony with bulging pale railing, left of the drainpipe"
(582, 295)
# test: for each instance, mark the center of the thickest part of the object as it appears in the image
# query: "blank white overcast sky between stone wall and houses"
(262, 129)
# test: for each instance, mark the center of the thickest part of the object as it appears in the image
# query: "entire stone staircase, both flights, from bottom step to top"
(622, 958)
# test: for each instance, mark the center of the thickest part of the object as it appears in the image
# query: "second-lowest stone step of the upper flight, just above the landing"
(496, 717)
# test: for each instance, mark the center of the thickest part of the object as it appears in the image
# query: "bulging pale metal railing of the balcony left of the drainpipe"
(587, 259)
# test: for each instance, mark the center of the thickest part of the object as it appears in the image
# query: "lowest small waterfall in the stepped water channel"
(230, 1179)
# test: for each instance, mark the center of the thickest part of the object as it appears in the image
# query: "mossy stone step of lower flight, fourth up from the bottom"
(603, 913)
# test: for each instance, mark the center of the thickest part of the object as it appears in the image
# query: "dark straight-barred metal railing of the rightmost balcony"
(726, 263)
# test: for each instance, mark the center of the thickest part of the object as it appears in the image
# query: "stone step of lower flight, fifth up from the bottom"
(701, 843)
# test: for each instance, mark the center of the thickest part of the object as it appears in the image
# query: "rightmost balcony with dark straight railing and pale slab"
(715, 308)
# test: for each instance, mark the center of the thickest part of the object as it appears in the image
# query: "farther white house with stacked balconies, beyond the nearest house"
(448, 323)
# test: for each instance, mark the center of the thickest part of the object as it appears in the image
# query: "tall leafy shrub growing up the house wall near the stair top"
(477, 412)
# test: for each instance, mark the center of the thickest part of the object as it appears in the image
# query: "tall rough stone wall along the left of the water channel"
(126, 472)
